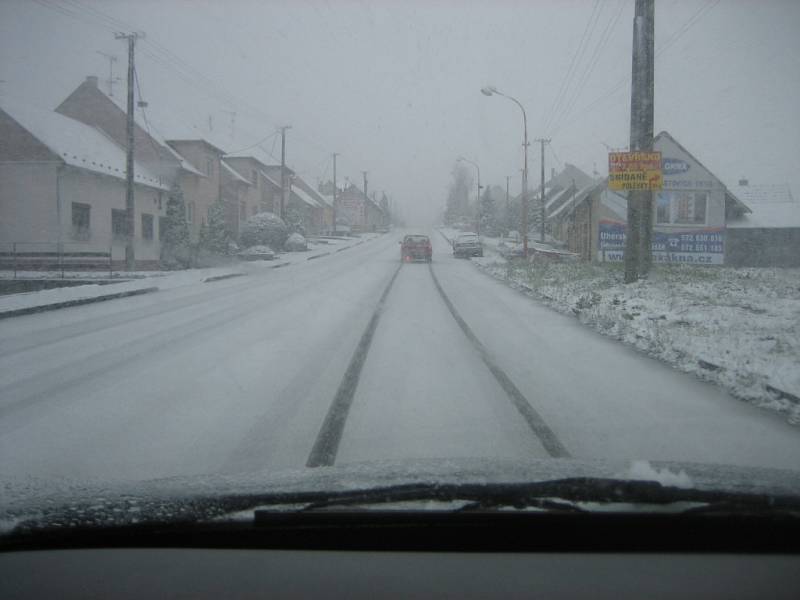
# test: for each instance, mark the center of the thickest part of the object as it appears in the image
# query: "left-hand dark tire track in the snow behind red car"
(326, 446)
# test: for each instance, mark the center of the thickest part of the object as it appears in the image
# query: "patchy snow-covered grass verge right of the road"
(737, 327)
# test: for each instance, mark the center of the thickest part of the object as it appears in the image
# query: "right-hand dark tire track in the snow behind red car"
(534, 420)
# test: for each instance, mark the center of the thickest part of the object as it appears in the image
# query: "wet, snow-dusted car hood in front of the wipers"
(111, 502)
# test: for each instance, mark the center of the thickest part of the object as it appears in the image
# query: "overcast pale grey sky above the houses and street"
(395, 86)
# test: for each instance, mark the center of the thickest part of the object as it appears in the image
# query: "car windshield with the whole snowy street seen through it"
(283, 246)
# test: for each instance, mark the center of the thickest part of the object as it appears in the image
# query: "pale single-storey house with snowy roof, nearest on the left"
(63, 188)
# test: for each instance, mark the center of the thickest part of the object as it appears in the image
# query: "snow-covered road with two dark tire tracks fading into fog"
(349, 358)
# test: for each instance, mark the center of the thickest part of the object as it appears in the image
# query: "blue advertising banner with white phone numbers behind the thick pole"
(690, 246)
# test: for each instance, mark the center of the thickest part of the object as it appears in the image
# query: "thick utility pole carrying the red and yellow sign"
(638, 251)
